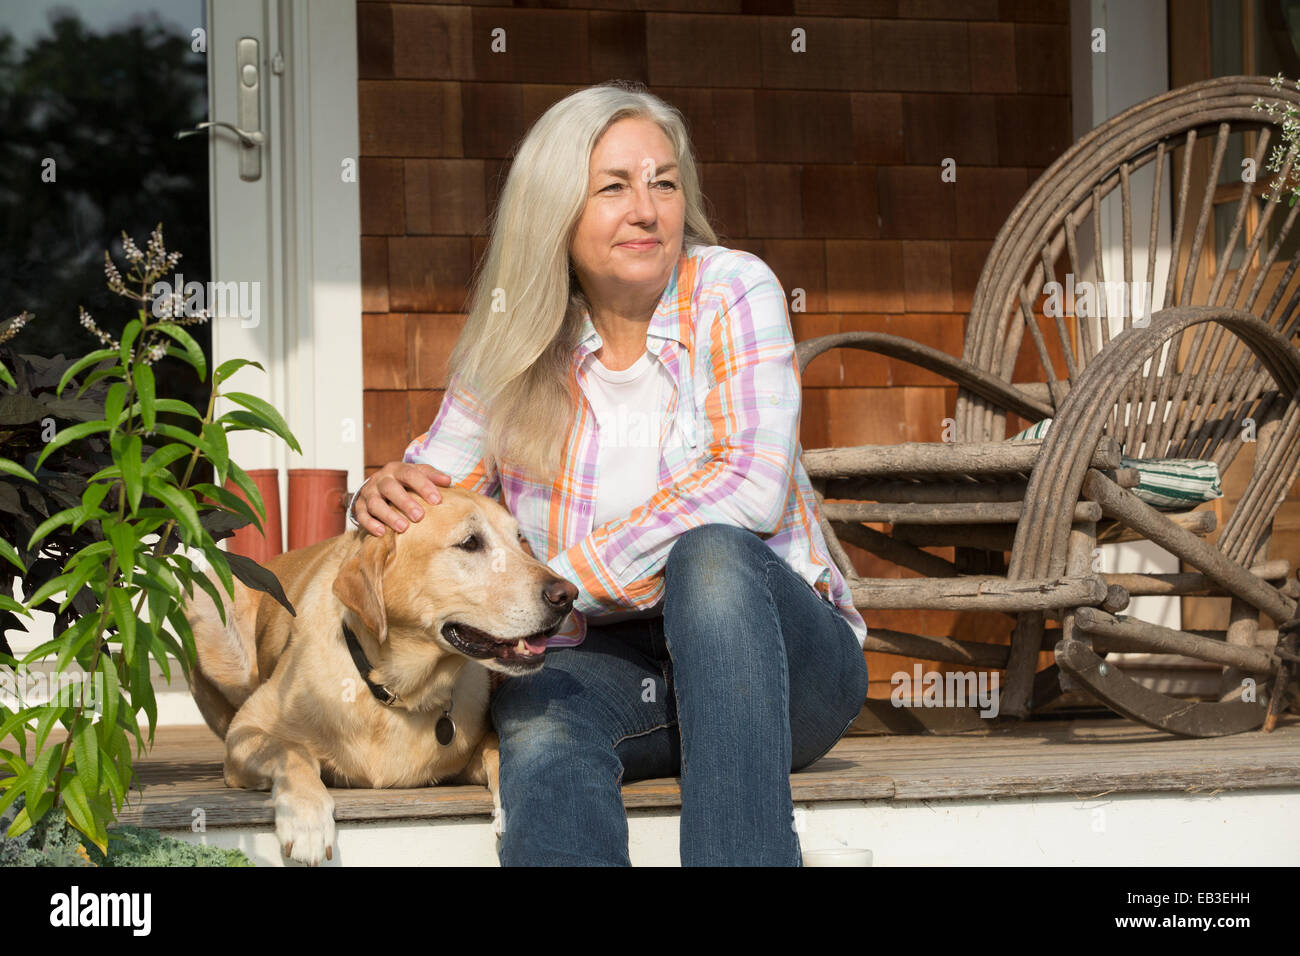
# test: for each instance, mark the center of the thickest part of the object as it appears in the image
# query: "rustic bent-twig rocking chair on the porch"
(1230, 330)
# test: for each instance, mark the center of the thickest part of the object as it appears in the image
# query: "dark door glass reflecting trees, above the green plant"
(90, 98)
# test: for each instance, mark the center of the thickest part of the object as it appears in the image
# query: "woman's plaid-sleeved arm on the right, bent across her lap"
(753, 410)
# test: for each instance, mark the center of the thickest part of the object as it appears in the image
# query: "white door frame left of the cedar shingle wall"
(296, 232)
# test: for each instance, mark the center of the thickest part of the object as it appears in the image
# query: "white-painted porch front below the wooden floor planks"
(1256, 828)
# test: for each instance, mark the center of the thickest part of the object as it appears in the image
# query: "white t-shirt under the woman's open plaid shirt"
(630, 406)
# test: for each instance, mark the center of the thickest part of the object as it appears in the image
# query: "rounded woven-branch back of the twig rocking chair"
(1188, 136)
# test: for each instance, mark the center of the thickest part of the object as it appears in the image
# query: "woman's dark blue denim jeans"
(748, 676)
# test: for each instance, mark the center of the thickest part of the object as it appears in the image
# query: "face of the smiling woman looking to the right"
(630, 235)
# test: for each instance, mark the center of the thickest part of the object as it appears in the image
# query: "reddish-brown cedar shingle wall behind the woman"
(826, 165)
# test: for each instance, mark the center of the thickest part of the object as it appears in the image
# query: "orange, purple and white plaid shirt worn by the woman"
(730, 448)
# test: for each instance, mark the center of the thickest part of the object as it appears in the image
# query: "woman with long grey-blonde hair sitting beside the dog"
(631, 390)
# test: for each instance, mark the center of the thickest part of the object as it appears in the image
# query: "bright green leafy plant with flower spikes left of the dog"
(132, 487)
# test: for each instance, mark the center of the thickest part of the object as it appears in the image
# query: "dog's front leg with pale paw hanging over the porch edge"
(305, 811)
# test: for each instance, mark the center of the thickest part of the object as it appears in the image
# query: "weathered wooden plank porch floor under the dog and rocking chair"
(1080, 758)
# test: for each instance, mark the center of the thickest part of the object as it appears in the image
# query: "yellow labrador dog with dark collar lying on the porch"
(383, 677)
